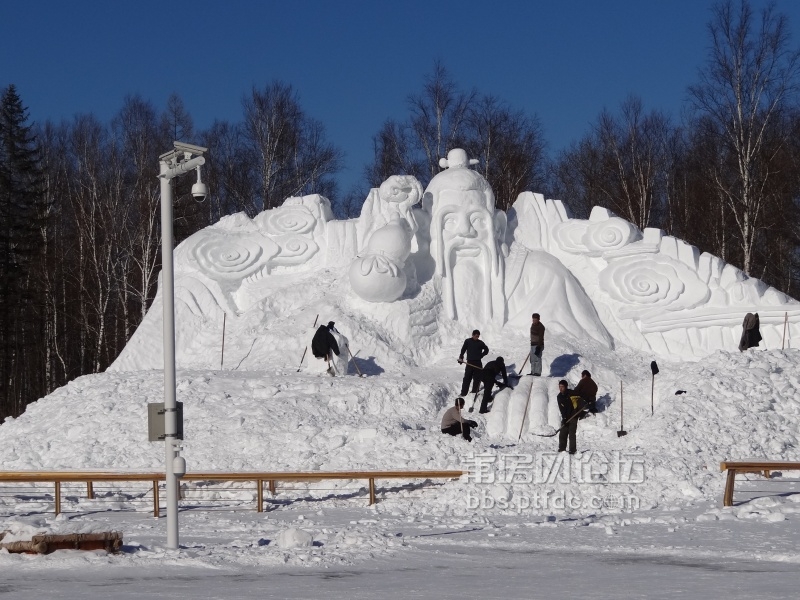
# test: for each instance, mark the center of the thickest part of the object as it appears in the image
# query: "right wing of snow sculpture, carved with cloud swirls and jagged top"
(655, 292)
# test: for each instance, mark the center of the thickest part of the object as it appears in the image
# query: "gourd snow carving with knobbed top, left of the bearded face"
(378, 275)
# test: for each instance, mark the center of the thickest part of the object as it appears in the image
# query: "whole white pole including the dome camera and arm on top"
(183, 159)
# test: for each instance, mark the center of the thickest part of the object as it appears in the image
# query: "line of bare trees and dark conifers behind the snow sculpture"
(79, 199)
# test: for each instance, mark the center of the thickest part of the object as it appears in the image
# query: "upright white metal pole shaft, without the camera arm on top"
(168, 298)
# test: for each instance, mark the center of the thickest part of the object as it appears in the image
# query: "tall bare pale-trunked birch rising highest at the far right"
(744, 89)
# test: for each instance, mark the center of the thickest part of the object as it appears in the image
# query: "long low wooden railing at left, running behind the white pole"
(90, 477)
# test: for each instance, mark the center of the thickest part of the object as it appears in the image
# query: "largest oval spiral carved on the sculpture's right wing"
(652, 282)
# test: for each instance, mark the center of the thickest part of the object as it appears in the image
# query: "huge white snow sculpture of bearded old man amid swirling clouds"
(433, 263)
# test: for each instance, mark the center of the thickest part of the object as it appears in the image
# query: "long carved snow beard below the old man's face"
(467, 281)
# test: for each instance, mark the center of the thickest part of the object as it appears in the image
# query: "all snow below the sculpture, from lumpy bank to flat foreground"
(629, 514)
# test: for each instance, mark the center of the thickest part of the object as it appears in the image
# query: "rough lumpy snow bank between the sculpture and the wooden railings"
(736, 405)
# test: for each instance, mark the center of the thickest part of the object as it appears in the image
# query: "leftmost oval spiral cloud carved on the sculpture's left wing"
(232, 256)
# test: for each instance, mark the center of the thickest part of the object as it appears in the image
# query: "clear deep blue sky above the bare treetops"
(354, 63)
